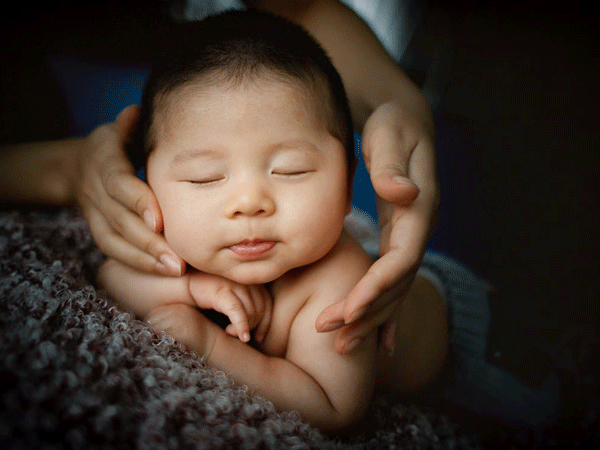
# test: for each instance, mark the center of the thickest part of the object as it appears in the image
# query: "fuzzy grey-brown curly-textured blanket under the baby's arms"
(77, 372)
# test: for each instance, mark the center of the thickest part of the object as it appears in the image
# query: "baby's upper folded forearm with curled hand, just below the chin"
(247, 307)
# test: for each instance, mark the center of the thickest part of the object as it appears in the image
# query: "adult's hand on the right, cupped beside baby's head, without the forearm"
(399, 154)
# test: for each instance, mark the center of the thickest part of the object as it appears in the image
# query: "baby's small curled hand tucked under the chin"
(248, 307)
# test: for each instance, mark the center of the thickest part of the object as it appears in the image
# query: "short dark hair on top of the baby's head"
(239, 46)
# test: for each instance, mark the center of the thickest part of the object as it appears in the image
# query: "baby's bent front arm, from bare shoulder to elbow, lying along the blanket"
(328, 389)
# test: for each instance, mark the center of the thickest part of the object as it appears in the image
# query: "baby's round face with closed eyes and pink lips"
(249, 182)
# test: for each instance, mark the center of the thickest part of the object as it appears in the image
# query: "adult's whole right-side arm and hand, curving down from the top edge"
(399, 152)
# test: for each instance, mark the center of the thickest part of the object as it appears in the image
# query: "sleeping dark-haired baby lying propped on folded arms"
(247, 141)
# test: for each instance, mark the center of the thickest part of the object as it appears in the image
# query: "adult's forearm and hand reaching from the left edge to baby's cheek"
(95, 174)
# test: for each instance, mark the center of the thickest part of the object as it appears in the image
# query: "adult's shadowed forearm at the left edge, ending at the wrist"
(39, 173)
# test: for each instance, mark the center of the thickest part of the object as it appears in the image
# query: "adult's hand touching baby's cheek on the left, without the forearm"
(121, 210)
